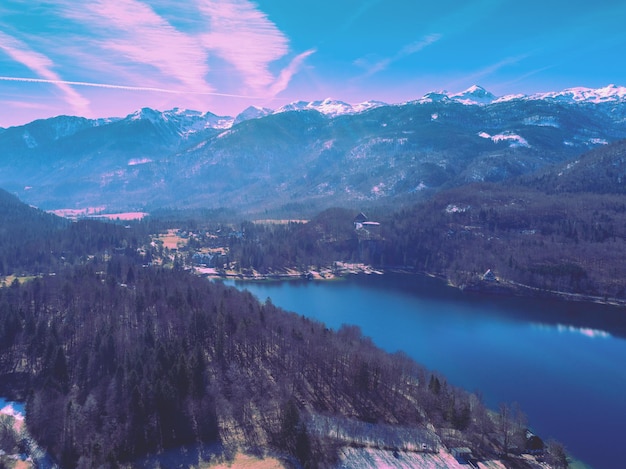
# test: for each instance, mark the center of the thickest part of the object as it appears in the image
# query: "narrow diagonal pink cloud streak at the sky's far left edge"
(42, 66)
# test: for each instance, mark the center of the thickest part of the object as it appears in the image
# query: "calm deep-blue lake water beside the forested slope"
(564, 363)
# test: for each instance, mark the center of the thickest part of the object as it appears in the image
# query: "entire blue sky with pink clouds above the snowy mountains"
(108, 58)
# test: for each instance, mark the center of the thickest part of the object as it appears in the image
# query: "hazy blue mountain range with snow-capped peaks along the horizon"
(309, 155)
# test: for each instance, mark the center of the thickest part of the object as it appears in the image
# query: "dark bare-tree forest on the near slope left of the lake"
(117, 358)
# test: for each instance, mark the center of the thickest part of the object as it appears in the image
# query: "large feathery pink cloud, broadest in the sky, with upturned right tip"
(130, 35)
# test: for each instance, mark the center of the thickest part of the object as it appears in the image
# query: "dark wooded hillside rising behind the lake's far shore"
(570, 243)
